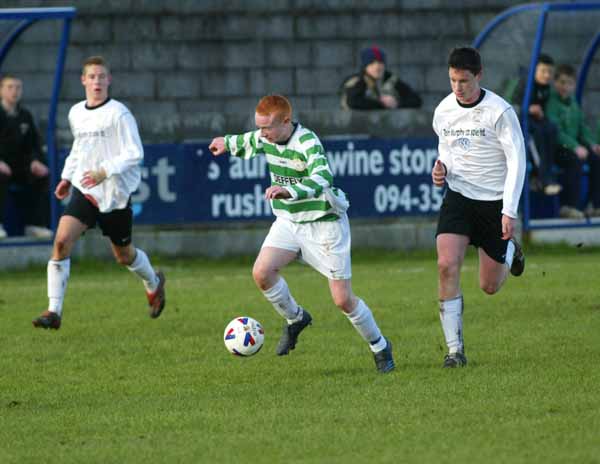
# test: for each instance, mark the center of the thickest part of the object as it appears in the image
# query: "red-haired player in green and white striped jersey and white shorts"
(311, 222)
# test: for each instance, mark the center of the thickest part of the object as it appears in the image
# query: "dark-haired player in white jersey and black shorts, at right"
(482, 161)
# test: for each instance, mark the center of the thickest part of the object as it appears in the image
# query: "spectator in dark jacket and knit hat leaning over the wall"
(374, 88)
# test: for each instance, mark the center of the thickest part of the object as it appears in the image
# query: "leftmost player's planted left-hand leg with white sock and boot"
(59, 267)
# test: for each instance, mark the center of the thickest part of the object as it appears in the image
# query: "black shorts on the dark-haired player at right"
(479, 220)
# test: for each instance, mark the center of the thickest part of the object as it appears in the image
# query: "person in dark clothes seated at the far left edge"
(23, 171)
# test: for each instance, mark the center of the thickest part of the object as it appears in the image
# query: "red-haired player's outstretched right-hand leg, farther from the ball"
(361, 317)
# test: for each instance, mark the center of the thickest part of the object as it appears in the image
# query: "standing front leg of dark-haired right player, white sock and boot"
(451, 249)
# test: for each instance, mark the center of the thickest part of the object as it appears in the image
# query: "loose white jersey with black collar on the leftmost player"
(107, 137)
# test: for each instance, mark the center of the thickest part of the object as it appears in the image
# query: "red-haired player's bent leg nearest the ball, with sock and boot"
(266, 275)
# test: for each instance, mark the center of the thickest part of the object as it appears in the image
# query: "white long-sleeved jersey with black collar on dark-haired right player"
(482, 147)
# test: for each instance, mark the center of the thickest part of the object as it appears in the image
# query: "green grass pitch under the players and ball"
(113, 386)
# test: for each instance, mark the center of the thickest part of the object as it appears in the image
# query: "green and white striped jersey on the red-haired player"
(301, 167)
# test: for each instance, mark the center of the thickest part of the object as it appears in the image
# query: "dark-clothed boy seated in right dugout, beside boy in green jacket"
(543, 143)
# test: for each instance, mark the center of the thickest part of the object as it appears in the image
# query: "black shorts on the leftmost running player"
(116, 224)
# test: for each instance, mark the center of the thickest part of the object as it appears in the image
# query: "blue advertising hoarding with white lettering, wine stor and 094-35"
(185, 183)
